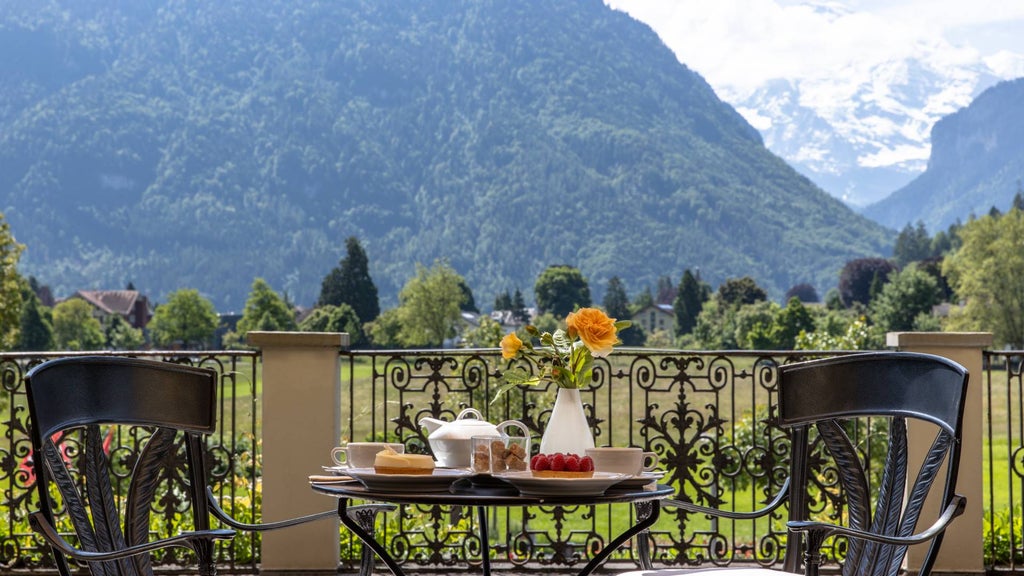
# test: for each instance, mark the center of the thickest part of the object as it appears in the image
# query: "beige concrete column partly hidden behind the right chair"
(963, 548)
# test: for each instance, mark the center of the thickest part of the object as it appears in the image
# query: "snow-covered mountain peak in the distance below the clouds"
(864, 134)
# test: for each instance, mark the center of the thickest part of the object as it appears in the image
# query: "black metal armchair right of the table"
(828, 395)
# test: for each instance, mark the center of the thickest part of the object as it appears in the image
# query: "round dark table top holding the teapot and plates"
(464, 492)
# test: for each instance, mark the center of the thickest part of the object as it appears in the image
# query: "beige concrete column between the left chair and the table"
(302, 424)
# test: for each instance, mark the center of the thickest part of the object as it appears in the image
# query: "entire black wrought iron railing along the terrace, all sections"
(704, 414)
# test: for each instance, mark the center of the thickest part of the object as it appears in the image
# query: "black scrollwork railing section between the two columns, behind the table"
(704, 414)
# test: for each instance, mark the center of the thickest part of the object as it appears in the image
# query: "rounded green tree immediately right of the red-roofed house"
(187, 319)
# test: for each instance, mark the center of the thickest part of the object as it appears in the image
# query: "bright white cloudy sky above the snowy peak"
(738, 46)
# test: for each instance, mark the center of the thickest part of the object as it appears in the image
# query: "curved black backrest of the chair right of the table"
(892, 388)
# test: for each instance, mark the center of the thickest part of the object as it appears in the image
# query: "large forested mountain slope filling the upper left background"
(183, 144)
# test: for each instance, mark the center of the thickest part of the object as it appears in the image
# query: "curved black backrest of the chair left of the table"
(72, 400)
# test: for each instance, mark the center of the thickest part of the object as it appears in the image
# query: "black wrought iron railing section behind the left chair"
(234, 454)
